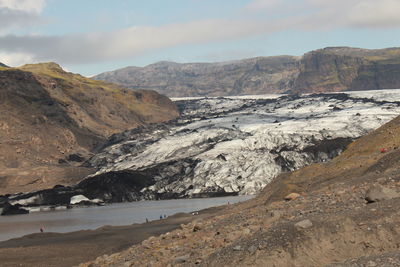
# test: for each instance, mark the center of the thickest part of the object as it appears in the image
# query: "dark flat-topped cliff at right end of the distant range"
(347, 69)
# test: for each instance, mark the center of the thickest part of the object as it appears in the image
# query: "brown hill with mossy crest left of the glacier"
(51, 121)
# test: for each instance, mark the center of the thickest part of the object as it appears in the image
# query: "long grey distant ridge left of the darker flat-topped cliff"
(250, 76)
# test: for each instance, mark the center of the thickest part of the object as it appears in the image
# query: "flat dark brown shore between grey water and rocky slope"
(69, 249)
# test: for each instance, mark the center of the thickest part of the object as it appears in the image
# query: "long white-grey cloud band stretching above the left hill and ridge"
(97, 47)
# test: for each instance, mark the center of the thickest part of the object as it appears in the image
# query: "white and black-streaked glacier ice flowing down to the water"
(221, 147)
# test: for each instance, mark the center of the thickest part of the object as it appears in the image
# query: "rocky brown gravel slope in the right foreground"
(339, 213)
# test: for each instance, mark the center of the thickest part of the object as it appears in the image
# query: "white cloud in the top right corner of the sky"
(322, 14)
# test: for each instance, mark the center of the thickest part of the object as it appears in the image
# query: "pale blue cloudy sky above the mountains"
(94, 36)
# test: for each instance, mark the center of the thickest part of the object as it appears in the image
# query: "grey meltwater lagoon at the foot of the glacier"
(94, 217)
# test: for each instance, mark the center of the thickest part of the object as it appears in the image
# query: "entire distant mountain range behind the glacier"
(324, 70)
